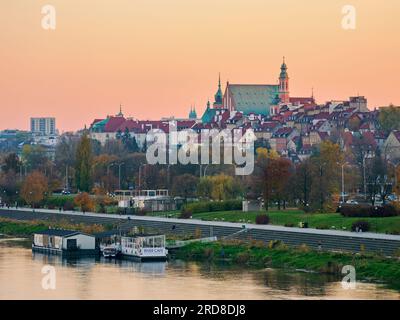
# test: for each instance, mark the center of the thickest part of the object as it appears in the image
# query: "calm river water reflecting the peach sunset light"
(96, 278)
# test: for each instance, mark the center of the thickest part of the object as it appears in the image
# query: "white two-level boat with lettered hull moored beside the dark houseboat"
(144, 247)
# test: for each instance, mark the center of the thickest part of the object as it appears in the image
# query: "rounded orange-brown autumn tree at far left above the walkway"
(34, 188)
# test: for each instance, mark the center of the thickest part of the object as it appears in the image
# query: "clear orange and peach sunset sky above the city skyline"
(159, 57)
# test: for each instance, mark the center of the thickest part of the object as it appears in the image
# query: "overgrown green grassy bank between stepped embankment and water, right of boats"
(369, 267)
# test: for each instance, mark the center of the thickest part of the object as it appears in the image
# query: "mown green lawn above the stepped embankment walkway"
(316, 220)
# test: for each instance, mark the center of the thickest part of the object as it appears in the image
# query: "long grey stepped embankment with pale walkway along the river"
(314, 238)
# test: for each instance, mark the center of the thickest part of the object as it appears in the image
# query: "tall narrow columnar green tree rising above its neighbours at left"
(83, 164)
